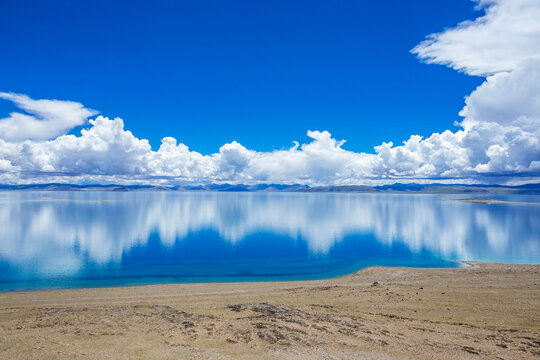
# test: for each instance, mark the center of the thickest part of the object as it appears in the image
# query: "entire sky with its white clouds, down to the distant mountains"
(369, 92)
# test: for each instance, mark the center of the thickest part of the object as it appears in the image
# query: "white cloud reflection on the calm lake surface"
(50, 234)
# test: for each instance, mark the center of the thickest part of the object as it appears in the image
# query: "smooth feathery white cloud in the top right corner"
(501, 40)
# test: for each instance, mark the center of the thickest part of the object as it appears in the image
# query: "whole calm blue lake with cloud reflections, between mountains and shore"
(88, 239)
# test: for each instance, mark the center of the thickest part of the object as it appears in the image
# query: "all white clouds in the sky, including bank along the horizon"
(498, 136)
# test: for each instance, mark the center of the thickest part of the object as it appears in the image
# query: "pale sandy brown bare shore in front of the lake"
(487, 311)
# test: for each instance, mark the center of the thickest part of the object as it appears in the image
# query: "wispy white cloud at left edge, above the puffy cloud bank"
(47, 119)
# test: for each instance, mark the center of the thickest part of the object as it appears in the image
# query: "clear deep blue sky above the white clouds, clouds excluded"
(258, 72)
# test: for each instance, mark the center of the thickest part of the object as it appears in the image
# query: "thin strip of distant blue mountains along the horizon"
(394, 188)
